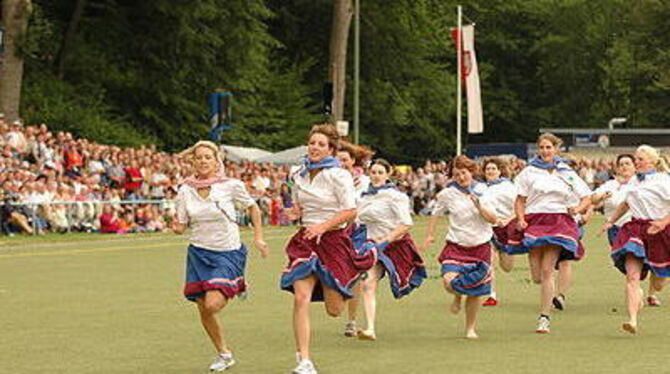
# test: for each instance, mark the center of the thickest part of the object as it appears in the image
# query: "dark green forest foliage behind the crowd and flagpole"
(138, 72)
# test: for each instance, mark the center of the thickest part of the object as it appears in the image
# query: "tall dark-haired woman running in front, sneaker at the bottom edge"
(322, 262)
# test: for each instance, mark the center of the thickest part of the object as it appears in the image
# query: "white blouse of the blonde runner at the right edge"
(650, 199)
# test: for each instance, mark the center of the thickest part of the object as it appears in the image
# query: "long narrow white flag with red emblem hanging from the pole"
(473, 92)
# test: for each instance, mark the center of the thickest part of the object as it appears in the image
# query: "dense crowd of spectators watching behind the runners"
(70, 184)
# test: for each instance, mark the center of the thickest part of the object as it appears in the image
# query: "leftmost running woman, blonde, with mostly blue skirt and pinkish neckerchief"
(216, 257)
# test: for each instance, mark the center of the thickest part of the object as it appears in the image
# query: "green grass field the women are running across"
(101, 304)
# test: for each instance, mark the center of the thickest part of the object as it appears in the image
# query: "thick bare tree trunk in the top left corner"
(15, 14)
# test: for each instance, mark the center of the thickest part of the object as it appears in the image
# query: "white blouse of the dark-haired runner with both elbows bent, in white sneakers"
(548, 192)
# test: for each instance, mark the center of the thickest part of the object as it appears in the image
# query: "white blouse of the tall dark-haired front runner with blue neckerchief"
(328, 193)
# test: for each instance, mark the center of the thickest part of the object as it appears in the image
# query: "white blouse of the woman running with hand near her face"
(466, 226)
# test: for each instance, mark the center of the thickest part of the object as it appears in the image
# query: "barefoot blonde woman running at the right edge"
(641, 245)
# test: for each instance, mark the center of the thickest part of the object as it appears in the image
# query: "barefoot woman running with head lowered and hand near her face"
(466, 256)
